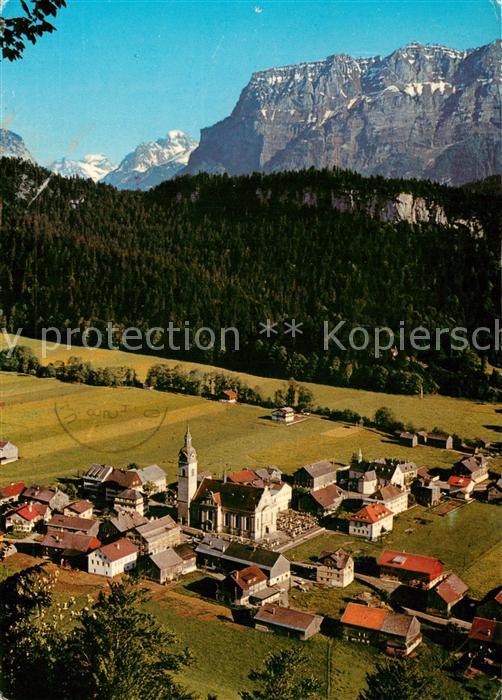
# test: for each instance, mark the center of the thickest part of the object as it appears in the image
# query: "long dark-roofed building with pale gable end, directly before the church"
(215, 553)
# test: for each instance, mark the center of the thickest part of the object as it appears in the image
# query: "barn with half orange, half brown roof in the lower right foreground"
(397, 634)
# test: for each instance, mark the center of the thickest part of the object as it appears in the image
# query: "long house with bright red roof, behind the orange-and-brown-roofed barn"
(415, 570)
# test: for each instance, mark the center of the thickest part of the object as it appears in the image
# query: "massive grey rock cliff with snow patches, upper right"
(423, 111)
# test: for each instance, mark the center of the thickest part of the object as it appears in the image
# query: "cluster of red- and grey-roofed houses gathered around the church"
(109, 531)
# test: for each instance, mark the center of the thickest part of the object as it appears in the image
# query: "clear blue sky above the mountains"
(118, 72)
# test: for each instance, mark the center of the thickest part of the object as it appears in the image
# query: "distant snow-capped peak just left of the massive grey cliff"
(153, 162)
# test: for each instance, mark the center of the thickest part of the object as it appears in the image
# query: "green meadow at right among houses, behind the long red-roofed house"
(467, 540)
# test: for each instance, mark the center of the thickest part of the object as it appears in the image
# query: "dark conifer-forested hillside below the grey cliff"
(221, 251)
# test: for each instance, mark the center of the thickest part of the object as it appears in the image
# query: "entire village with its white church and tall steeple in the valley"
(238, 530)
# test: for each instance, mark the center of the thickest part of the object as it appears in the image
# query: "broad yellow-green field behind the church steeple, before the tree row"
(62, 428)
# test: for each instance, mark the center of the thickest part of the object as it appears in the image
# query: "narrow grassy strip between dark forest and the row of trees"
(467, 418)
